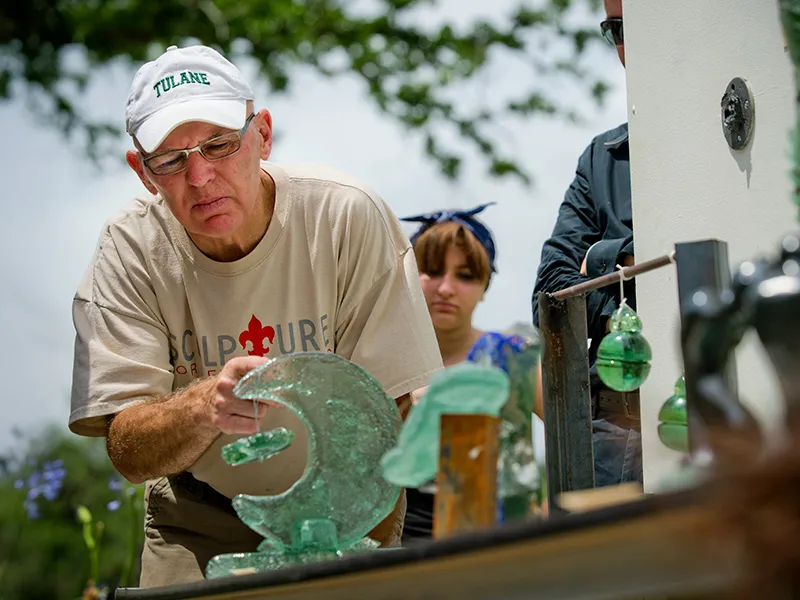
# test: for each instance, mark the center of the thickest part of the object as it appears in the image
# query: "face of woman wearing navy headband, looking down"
(453, 294)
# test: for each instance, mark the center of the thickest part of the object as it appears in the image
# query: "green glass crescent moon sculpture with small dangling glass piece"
(342, 494)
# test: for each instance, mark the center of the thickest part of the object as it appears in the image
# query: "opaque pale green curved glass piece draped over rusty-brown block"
(463, 389)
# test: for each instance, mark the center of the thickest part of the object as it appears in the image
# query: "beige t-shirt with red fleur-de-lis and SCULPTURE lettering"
(334, 272)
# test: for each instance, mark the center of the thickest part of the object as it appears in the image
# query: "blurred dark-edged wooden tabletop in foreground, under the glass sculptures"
(665, 554)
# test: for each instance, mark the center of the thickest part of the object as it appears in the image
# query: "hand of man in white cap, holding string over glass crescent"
(228, 413)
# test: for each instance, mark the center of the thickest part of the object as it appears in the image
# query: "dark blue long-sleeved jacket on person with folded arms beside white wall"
(596, 214)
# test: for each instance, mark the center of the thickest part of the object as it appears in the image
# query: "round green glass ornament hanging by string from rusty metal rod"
(623, 357)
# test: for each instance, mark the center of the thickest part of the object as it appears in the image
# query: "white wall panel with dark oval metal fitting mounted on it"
(687, 183)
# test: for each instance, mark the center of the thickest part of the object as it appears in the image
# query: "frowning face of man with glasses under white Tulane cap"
(211, 199)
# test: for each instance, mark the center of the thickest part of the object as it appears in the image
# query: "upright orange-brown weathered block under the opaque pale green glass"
(466, 497)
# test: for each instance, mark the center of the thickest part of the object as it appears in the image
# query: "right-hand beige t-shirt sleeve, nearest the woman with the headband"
(383, 324)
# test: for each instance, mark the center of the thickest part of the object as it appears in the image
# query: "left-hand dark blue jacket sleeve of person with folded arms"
(576, 230)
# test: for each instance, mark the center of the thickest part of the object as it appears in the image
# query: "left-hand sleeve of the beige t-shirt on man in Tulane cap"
(122, 350)
